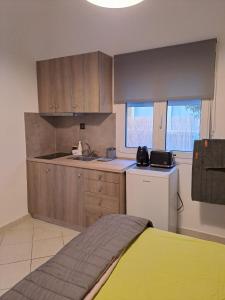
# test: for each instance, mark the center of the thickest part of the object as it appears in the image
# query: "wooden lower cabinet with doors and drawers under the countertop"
(72, 196)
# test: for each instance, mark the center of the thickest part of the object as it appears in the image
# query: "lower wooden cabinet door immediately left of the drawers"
(68, 204)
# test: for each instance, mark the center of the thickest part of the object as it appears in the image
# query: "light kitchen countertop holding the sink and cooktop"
(116, 165)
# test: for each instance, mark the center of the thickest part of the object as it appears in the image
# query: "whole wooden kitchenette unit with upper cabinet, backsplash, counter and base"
(74, 190)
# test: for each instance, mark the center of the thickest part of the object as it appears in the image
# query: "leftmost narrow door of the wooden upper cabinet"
(44, 83)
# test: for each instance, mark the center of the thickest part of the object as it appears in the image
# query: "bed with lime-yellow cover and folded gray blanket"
(122, 257)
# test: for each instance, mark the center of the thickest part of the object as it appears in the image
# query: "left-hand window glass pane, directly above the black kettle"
(139, 124)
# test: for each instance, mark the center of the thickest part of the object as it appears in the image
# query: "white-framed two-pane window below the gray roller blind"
(171, 125)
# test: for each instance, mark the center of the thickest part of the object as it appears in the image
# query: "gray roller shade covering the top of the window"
(174, 72)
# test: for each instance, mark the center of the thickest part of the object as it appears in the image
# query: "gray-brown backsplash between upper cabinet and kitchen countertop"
(46, 135)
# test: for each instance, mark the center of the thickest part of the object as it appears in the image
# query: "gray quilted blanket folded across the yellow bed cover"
(74, 270)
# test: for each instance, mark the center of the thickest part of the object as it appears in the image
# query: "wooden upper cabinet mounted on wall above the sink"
(79, 83)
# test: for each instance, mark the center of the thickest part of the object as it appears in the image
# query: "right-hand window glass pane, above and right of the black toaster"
(183, 124)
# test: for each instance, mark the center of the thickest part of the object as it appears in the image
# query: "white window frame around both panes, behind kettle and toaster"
(159, 128)
